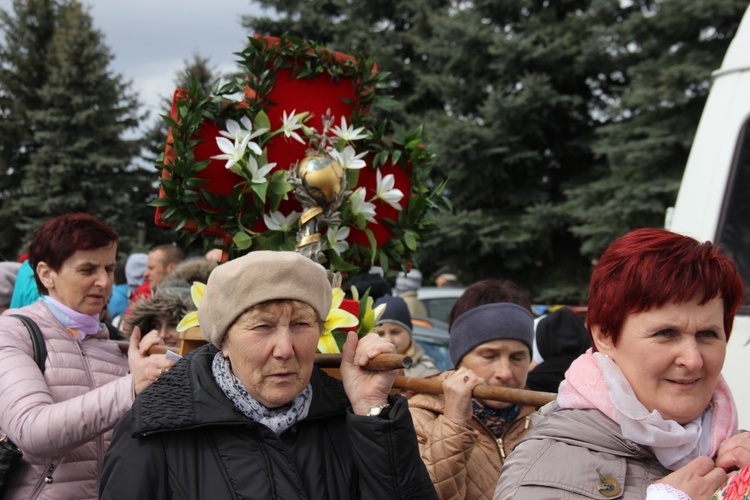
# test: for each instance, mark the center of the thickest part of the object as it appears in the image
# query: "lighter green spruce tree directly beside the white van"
(668, 51)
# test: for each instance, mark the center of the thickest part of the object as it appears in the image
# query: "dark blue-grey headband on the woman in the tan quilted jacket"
(498, 321)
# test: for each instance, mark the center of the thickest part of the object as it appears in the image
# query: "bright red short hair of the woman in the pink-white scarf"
(647, 268)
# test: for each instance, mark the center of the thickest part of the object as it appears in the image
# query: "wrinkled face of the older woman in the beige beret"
(271, 348)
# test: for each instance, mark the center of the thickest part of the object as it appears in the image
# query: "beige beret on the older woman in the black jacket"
(237, 285)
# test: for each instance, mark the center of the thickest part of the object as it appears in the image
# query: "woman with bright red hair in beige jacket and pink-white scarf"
(645, 413)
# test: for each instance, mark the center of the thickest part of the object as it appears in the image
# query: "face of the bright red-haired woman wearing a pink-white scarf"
(671, 356)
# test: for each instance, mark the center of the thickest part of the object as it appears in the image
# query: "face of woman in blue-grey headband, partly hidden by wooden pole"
(502, 363)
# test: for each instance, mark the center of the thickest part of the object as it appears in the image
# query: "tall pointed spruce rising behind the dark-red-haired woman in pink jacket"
(81, 161)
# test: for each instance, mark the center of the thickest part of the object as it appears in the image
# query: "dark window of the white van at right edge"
(734, 225)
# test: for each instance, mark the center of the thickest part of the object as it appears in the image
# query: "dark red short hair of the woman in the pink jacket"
(57, 239)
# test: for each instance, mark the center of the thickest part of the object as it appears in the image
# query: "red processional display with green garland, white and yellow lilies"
(298, 163)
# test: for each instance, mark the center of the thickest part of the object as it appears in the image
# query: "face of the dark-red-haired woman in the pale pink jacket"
(84, 281)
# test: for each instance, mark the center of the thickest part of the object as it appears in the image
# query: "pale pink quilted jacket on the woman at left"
(61, 420)
